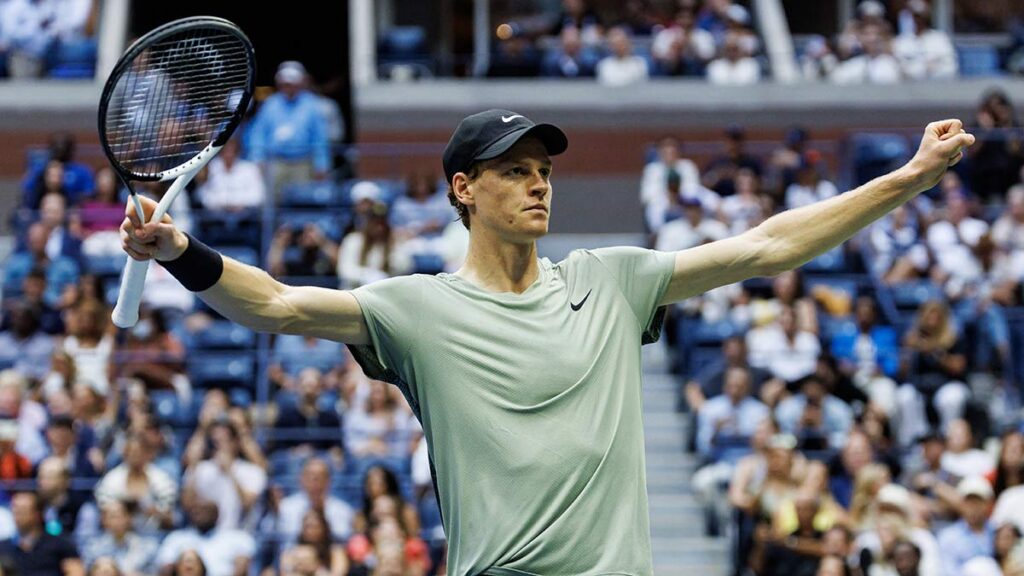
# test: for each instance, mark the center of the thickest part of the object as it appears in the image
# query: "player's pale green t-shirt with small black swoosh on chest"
(532, 408)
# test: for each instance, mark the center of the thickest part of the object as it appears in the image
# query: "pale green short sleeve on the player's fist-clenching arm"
(643, 276)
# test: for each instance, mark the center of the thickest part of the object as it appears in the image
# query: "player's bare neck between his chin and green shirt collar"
(498, 266)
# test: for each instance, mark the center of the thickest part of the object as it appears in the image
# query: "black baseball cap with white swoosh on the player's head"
(490, 135)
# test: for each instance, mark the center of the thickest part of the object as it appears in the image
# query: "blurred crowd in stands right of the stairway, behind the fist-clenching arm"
(862, 416)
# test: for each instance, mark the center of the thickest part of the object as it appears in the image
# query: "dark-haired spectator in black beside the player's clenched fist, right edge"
(999, 155)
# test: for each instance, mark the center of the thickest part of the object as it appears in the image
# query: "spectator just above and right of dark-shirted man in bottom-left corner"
(68, 513)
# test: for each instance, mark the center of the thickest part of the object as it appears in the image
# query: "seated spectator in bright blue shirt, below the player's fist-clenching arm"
(870, 356)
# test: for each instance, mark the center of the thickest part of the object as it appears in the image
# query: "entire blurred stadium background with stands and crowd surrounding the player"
(859, 417)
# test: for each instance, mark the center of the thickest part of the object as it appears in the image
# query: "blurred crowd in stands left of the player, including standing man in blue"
(188, 445)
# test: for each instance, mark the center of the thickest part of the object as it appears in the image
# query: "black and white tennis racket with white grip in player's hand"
(170, 104)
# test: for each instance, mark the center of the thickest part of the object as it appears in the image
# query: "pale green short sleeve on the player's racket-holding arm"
(392, 310)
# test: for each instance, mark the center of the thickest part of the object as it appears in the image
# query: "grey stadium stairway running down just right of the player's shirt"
(680, 547)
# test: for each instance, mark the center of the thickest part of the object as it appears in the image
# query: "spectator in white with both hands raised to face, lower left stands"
(225, 478)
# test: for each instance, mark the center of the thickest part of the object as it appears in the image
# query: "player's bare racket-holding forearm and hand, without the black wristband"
(250, 297)
